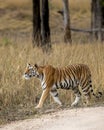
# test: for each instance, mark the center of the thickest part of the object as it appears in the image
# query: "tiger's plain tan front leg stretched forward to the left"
(43, 97)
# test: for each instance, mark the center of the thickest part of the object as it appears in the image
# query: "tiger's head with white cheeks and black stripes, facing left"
(31, 71)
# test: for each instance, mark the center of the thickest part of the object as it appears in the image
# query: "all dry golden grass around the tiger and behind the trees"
(17, 96)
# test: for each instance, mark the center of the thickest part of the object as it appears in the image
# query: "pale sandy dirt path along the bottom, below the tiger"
(72, 119)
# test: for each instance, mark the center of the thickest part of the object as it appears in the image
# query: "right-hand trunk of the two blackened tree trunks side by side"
(45, 29)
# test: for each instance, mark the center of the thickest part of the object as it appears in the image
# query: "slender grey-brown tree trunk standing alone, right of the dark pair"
(67, 35)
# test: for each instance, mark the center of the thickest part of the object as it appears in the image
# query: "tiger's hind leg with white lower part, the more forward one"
(77, 98)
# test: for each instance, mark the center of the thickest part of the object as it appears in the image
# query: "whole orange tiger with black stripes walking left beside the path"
(69, 77)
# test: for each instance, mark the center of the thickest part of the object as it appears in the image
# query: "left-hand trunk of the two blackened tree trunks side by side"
(36, 23)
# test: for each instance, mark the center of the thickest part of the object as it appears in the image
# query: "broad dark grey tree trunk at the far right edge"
(97, 19)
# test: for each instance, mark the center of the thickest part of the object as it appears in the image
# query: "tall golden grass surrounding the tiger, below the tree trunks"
(16, 91)
